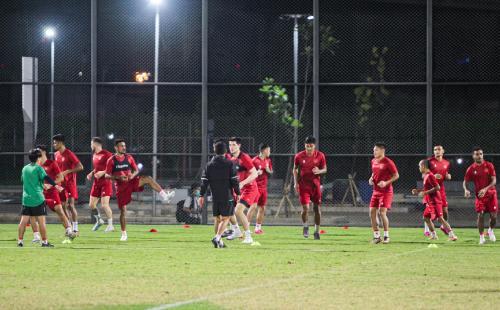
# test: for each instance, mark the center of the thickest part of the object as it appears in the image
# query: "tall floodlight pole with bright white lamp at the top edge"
(157, 4)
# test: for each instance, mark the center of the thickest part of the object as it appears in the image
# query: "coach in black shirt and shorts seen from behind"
(220, 174)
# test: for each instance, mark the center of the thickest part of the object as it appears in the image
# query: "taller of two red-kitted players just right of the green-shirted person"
(70, 165)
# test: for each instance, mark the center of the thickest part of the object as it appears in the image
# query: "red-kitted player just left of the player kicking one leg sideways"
(101, 187)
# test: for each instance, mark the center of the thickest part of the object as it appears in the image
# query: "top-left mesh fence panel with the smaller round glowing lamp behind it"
(22, 29)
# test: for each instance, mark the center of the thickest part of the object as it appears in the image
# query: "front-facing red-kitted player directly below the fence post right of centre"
(308, 167)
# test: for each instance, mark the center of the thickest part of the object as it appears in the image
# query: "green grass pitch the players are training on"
(179, 267)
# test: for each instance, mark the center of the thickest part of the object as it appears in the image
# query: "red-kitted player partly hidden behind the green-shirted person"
(51, 194)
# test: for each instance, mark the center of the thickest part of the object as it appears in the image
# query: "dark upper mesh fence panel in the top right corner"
(465, 40)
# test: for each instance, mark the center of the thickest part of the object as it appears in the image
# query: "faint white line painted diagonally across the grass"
(271, 283)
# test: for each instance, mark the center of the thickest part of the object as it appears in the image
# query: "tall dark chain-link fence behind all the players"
(409, 73)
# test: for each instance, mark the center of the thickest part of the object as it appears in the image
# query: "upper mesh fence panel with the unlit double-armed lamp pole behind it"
(251, 40)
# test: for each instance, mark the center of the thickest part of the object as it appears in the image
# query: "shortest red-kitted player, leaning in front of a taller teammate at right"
(431, 194)
